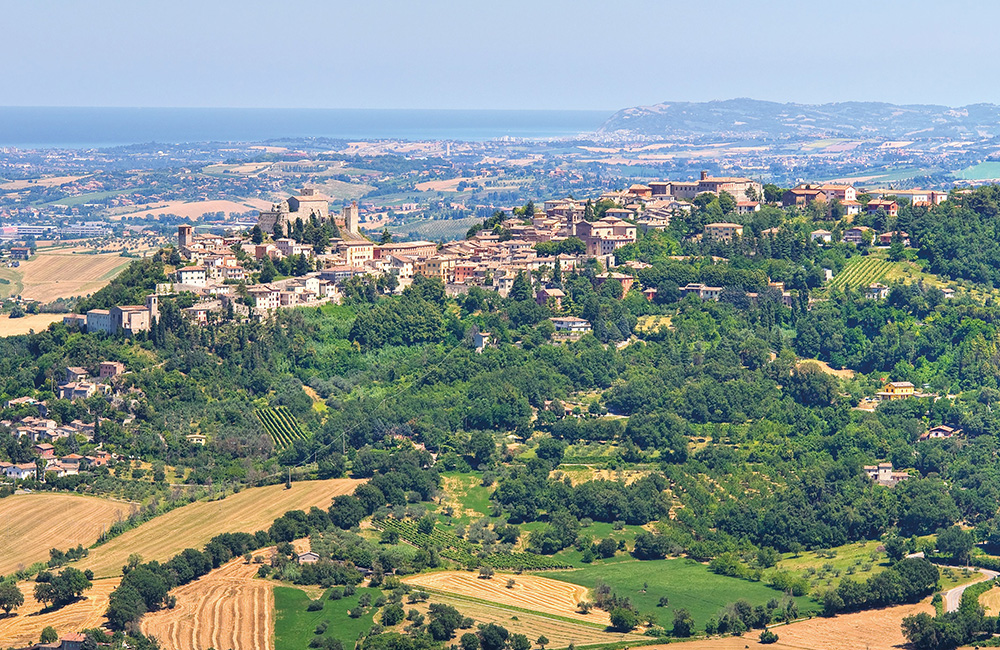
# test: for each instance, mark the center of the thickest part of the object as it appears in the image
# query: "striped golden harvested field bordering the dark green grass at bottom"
(227, 608)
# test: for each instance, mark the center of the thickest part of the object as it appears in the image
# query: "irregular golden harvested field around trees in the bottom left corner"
(27, 624)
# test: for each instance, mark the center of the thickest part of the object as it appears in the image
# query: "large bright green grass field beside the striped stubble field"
(686, 583)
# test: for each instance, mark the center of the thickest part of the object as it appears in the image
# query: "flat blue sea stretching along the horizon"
(51, 127)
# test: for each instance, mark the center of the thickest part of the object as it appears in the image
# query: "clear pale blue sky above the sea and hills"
(558, 54)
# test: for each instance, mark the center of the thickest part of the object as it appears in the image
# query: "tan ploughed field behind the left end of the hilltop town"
(48, 276)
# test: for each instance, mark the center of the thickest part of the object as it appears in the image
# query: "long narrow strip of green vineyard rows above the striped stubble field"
(463, 551)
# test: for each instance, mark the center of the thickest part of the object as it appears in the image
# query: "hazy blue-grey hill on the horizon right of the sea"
(753, 119)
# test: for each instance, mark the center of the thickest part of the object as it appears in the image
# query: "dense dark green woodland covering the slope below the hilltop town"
(745, 450)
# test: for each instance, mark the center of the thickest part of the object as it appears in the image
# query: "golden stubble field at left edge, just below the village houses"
(59, 520)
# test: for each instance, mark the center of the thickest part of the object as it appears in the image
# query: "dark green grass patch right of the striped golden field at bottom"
(294, 627)
